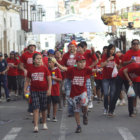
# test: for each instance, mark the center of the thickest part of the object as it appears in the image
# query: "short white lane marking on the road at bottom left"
(12, 133)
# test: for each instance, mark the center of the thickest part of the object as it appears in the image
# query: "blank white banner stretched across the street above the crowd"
(62, 27)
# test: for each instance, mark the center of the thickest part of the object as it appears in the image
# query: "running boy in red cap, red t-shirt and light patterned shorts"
(78, 76)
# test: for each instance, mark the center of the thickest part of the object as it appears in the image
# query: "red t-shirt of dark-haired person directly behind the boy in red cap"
(90, 58)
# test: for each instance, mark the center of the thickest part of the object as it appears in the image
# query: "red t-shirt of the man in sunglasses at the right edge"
(128, 56)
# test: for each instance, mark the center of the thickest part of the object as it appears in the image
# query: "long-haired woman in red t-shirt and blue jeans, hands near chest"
(109, 61)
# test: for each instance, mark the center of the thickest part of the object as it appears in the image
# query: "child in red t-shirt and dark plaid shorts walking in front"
(38, 77)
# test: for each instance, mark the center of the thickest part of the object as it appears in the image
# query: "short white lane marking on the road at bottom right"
(125, 133)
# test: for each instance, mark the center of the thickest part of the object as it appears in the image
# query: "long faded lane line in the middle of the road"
(63, 126)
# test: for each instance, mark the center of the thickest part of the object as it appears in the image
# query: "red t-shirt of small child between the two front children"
(55, 91)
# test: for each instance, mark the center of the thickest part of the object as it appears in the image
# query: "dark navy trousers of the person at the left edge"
(3, 81)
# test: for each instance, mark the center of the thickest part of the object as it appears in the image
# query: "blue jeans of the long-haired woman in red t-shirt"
(109, 90)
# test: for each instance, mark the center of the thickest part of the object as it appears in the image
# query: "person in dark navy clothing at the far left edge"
(3, 77)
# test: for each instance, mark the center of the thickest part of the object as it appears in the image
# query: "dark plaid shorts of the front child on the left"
(39, 100)
